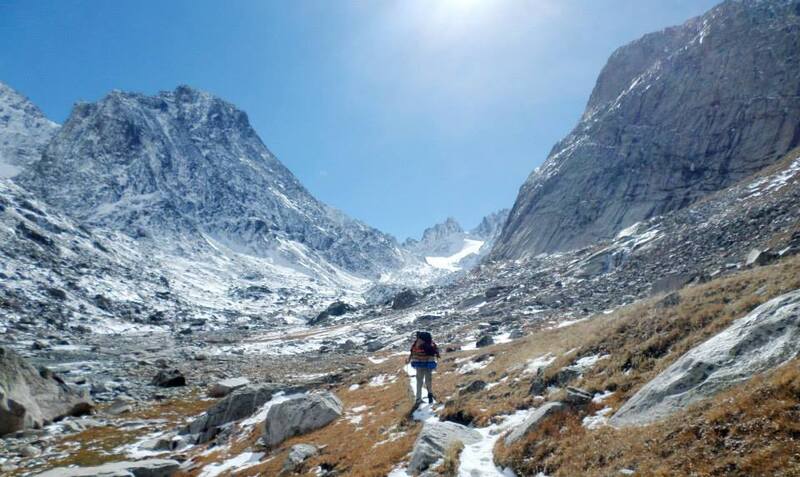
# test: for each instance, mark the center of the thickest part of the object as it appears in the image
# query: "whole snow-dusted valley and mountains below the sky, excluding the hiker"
(174, 302)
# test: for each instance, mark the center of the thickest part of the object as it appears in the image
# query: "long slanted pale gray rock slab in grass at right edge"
(764, 339)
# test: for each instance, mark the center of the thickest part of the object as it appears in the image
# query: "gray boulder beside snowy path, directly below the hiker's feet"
(434, 440)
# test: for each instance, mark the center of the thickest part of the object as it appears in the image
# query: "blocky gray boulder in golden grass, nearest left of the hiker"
(299, 415)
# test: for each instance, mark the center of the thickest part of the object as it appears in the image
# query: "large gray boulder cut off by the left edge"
(30, 398)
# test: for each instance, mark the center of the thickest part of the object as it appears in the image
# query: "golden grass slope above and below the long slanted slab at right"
(752, 429)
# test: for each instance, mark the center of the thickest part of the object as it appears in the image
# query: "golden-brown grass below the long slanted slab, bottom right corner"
(750, 430)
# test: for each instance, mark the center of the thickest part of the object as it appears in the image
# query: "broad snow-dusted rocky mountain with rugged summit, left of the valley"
(184, 167)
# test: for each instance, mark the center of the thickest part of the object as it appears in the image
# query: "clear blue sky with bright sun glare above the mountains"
(400, 113)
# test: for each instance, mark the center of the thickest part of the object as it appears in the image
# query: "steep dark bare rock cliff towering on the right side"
(674, 116)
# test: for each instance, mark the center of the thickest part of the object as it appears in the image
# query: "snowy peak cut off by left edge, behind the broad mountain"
(24, 131)
